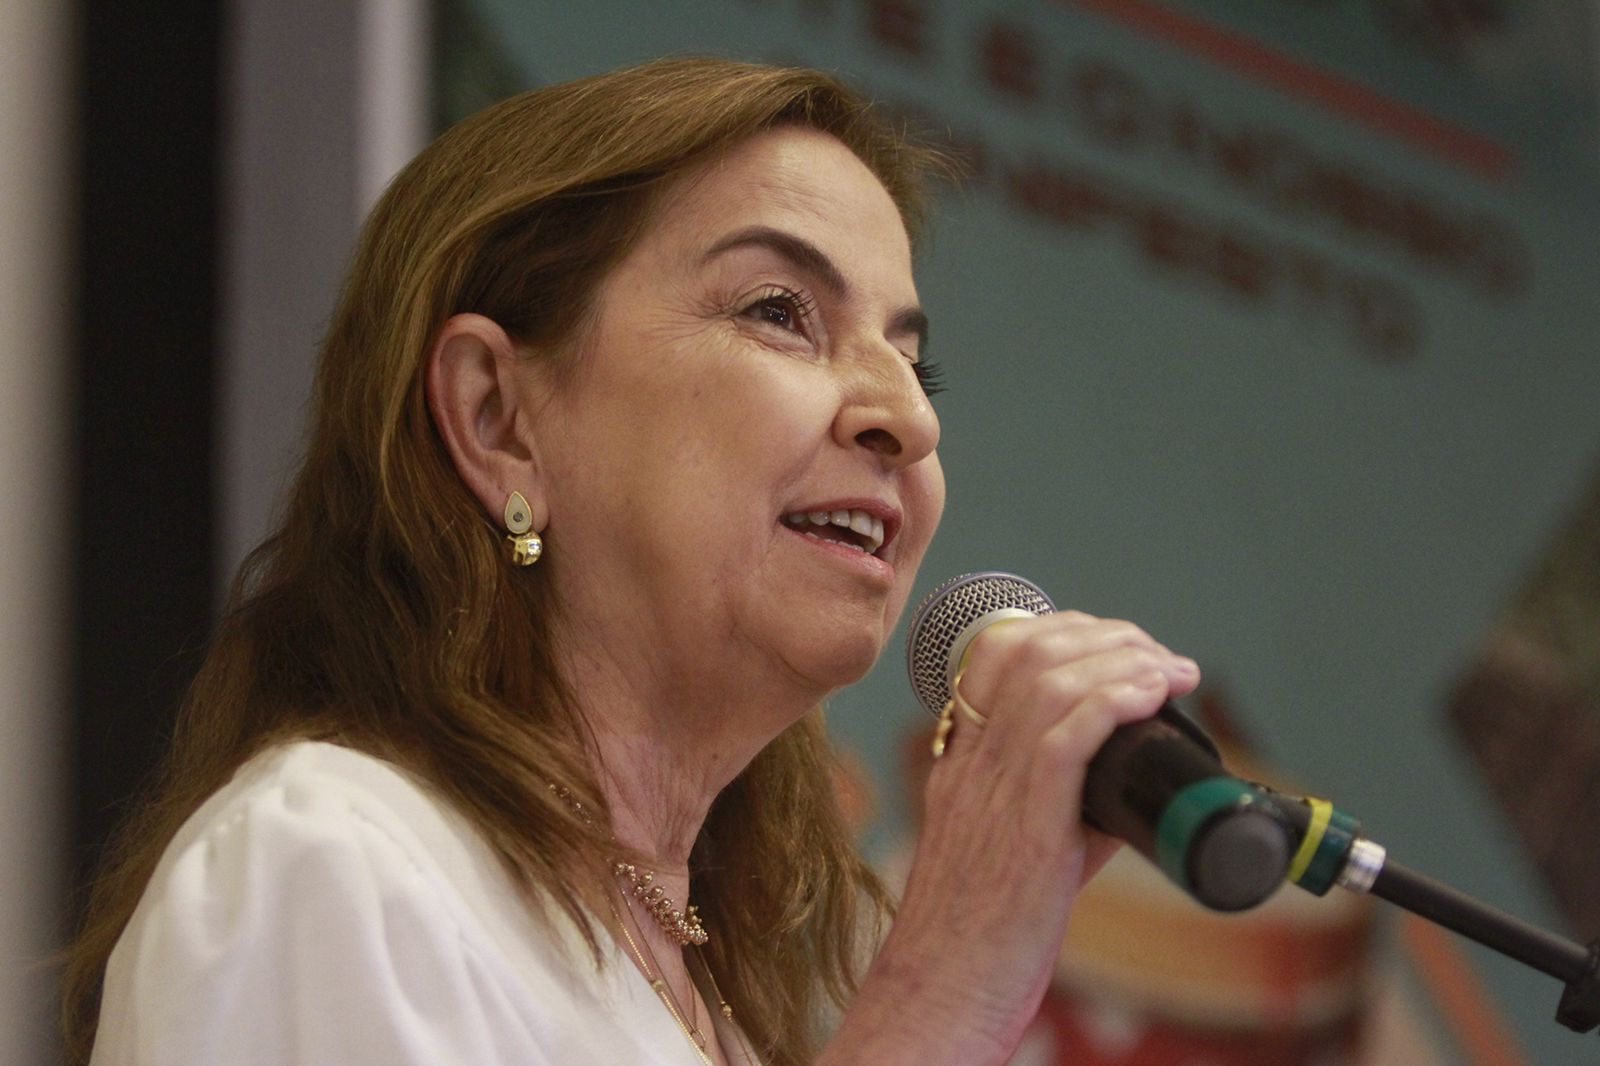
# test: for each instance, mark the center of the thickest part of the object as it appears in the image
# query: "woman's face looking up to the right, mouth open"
(751, 364)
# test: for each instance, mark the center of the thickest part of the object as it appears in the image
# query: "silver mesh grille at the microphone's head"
(946, 614)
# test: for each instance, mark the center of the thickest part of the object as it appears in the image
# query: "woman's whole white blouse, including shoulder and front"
(324, 908)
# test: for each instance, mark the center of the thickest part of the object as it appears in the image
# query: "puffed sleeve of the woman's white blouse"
(295, 931)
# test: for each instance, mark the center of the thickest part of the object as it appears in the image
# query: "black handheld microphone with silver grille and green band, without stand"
(1159, 785)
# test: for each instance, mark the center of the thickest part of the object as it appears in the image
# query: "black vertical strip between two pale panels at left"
(146, 359)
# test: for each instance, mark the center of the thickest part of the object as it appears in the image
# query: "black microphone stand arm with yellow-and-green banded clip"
(1335, 854)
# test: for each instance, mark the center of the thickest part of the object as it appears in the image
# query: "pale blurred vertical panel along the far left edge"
(33, 356)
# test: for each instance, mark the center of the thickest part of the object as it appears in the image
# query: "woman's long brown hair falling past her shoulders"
(383, 614)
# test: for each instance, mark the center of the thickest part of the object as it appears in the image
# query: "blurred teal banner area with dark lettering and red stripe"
(1270, 326)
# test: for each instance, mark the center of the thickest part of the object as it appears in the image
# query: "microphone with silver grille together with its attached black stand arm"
(1161, 787)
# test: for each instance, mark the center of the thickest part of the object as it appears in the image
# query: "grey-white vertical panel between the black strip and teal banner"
(326, 103)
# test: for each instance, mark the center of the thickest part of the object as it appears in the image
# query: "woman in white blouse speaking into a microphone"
(623, 462)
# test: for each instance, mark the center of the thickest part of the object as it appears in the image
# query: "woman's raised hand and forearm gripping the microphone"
(1004, 849)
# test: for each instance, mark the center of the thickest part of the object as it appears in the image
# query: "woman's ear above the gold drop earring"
(471, 383)
